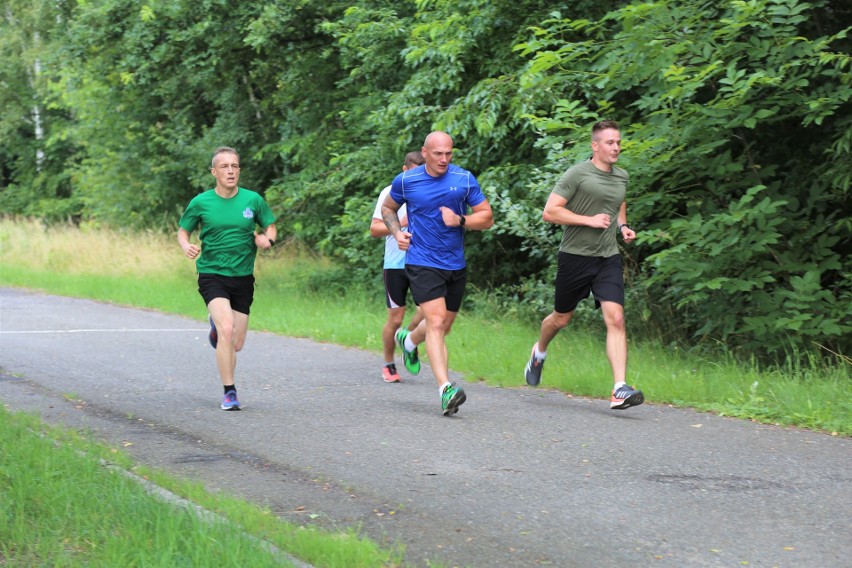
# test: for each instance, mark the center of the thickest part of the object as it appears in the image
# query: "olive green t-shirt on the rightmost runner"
(590, 191)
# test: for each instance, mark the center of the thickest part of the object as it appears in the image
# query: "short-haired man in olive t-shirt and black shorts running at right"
(589, 201)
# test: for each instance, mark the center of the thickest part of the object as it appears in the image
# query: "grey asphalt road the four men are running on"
(519, 477)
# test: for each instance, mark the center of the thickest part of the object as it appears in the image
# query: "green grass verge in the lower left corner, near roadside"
(61, 504)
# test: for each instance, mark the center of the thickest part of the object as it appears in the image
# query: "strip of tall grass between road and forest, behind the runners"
(301, 295)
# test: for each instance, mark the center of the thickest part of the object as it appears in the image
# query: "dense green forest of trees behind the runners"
(735, 118)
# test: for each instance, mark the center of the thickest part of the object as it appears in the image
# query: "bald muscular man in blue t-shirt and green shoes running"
(437, 196)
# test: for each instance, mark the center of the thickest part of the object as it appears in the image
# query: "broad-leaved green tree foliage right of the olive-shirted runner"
(729, 109)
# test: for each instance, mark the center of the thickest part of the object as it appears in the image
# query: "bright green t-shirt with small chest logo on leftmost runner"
(227, 230)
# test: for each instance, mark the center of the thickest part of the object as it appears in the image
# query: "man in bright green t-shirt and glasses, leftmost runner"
(228, 216)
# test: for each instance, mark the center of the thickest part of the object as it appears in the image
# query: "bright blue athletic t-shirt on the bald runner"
(433, 243)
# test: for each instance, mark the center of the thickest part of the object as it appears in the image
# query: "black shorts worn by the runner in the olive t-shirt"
(577, 275)
